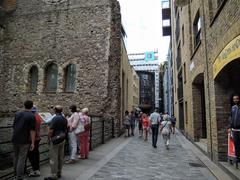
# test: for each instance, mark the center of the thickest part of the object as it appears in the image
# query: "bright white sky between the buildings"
(143, 25)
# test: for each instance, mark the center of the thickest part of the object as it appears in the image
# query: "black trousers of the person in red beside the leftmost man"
(34, 157)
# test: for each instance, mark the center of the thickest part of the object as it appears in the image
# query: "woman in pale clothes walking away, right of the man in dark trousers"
(165, 129)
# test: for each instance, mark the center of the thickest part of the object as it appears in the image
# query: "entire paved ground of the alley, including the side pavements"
(132, 158)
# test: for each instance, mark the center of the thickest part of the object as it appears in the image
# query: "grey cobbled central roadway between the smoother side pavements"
(138, 160)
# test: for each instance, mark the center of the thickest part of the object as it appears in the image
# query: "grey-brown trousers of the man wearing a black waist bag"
(56, 153)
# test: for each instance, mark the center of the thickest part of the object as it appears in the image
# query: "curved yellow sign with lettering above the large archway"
(228, 54)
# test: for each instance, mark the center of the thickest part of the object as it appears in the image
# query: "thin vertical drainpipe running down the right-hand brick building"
(207, 70)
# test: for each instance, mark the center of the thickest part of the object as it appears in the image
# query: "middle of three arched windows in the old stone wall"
(51, 78)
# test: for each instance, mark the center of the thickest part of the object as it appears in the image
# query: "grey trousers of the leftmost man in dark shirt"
(20, 156)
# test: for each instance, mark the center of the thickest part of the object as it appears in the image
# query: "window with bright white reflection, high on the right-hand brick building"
(197, 26)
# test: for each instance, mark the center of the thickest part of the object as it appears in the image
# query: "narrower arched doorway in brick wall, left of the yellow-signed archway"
(199, 110)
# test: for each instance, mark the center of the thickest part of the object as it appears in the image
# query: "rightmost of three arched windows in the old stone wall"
(70, 76)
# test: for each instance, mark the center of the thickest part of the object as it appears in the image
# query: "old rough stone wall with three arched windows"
(60, 52)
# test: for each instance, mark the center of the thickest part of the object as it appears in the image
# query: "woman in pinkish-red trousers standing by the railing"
(85, 135)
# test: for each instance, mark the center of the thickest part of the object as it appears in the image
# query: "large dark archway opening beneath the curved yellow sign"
(226, 84)
